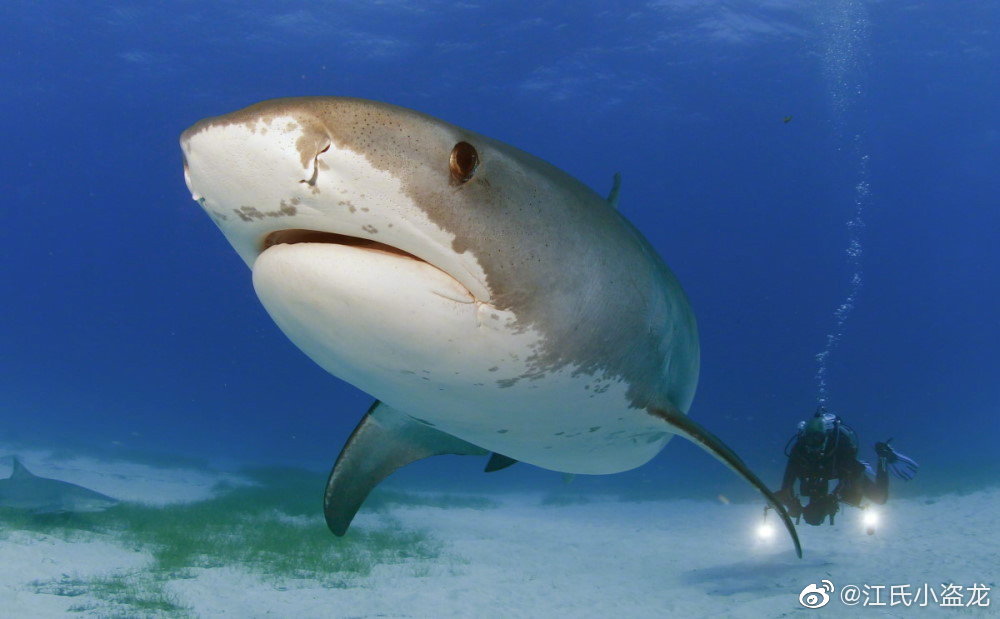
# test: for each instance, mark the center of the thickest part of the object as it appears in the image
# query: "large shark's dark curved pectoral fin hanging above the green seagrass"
(384, 441)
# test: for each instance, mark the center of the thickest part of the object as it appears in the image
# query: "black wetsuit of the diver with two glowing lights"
(814, 469)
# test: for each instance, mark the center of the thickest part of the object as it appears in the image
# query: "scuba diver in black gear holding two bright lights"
(825, 448)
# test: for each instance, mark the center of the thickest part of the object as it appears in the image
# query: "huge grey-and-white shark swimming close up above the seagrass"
(492, 303)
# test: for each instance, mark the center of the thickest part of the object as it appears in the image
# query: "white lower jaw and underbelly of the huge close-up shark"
(453, 363)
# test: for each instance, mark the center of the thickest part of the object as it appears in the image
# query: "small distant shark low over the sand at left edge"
(40, 495)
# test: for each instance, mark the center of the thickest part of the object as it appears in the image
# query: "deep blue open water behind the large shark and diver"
(814, 173)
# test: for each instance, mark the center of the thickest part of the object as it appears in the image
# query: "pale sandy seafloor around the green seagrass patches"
(525, 558)
